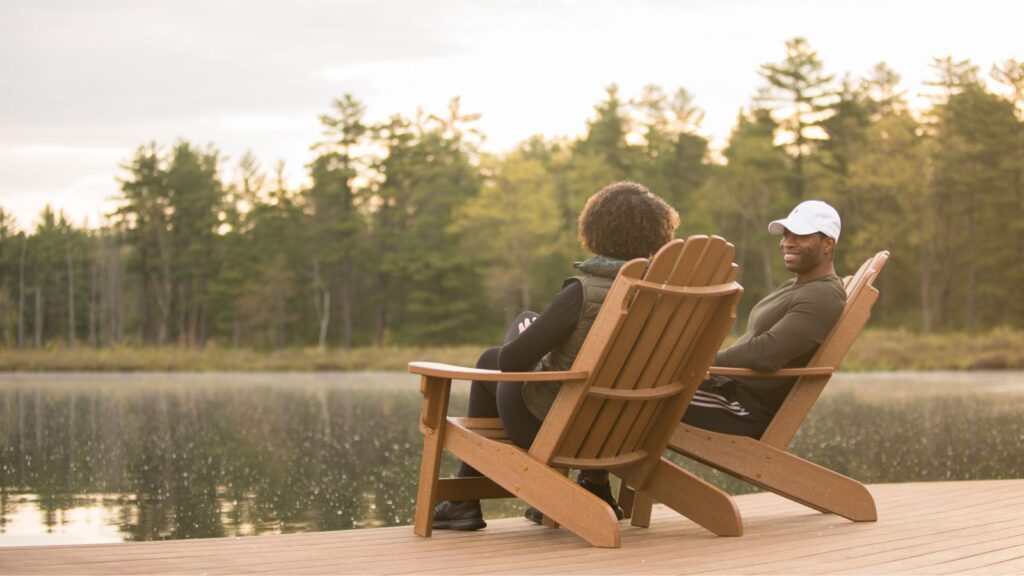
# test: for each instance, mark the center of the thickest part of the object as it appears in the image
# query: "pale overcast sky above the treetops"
(84, 84)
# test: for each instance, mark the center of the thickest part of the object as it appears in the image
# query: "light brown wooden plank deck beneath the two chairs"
(926, 528)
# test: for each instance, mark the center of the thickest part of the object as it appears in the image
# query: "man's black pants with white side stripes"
(715, 407)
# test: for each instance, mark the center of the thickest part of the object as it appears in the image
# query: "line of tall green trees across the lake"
(408, 233)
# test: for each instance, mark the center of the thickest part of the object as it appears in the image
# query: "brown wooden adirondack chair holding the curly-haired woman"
(649, 350)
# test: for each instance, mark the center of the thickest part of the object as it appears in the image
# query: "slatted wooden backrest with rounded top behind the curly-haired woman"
(651, 346)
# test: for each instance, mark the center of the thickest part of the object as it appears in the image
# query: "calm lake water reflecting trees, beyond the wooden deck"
(113, 458)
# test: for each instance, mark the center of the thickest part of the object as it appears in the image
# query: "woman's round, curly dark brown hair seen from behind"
(626, 221)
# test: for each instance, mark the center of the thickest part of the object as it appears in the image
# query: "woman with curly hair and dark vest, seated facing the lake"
(622, 222)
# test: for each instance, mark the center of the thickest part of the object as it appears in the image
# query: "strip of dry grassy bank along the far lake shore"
(875, 350)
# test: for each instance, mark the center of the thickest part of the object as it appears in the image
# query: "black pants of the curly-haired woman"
(502, 400)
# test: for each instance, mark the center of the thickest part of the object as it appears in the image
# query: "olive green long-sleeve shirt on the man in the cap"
(784, 332)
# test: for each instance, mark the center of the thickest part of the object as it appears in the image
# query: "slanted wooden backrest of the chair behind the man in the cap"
(861, 298)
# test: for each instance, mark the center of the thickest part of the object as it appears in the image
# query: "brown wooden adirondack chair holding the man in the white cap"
(765, 463)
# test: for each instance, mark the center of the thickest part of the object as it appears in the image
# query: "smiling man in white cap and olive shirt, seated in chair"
(784, 331)
